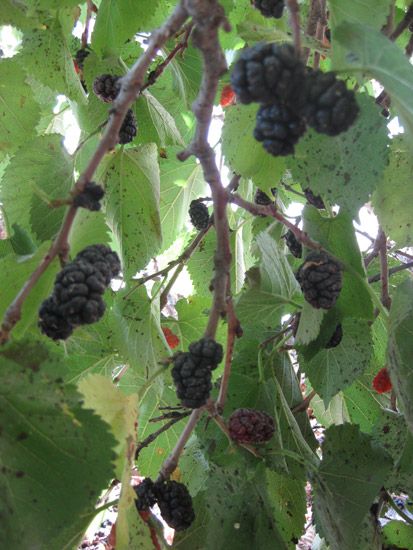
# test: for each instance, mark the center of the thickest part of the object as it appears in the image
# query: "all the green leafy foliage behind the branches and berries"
(69, 422)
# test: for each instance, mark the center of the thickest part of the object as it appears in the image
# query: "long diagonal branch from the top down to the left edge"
(131, 84)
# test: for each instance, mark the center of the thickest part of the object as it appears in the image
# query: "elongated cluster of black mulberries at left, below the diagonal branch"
(77, 295)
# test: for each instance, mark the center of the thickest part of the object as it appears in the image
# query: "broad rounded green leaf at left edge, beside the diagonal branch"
(39, 172)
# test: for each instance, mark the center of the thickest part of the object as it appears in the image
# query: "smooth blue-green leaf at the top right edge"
(370, 51)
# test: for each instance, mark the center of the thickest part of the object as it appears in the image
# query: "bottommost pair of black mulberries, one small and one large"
(173, 499)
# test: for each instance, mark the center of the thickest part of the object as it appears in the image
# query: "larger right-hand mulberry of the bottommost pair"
(175, 504)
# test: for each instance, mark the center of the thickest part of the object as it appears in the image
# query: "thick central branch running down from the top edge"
(208, 16)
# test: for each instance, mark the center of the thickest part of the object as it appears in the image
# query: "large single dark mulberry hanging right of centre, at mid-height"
(320, 278)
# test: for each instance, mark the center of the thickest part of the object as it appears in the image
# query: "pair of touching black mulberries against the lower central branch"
(191, 372)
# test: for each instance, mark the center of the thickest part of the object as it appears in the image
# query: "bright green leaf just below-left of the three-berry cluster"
(245, 155)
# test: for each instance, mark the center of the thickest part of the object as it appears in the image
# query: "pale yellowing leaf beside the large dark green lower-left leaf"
(116, 409)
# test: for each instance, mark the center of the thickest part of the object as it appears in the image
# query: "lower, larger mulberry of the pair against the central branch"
(192, 380)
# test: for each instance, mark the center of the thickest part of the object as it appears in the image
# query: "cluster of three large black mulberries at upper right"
(291, 96)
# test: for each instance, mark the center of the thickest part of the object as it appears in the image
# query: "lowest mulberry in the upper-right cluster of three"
(279, 128)
